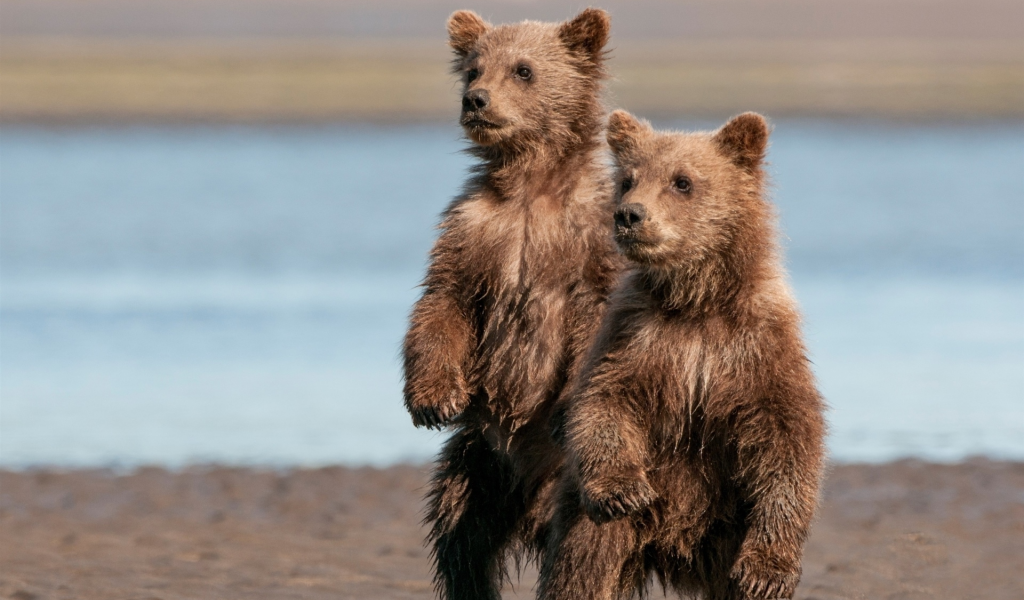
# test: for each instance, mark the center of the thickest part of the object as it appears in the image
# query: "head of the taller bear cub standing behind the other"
(530, 82)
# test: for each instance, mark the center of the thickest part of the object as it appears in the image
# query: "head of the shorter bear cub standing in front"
(684, 198)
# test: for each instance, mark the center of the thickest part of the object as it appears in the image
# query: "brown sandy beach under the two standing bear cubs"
(903, 531)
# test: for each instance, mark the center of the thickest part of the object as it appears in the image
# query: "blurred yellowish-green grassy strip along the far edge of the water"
(53, 81)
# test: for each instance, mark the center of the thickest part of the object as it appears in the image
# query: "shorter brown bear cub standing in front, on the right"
(695, 431)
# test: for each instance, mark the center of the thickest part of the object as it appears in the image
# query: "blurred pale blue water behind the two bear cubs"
(229, 294)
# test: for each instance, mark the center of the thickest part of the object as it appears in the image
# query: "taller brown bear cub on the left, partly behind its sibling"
(518, 282)
